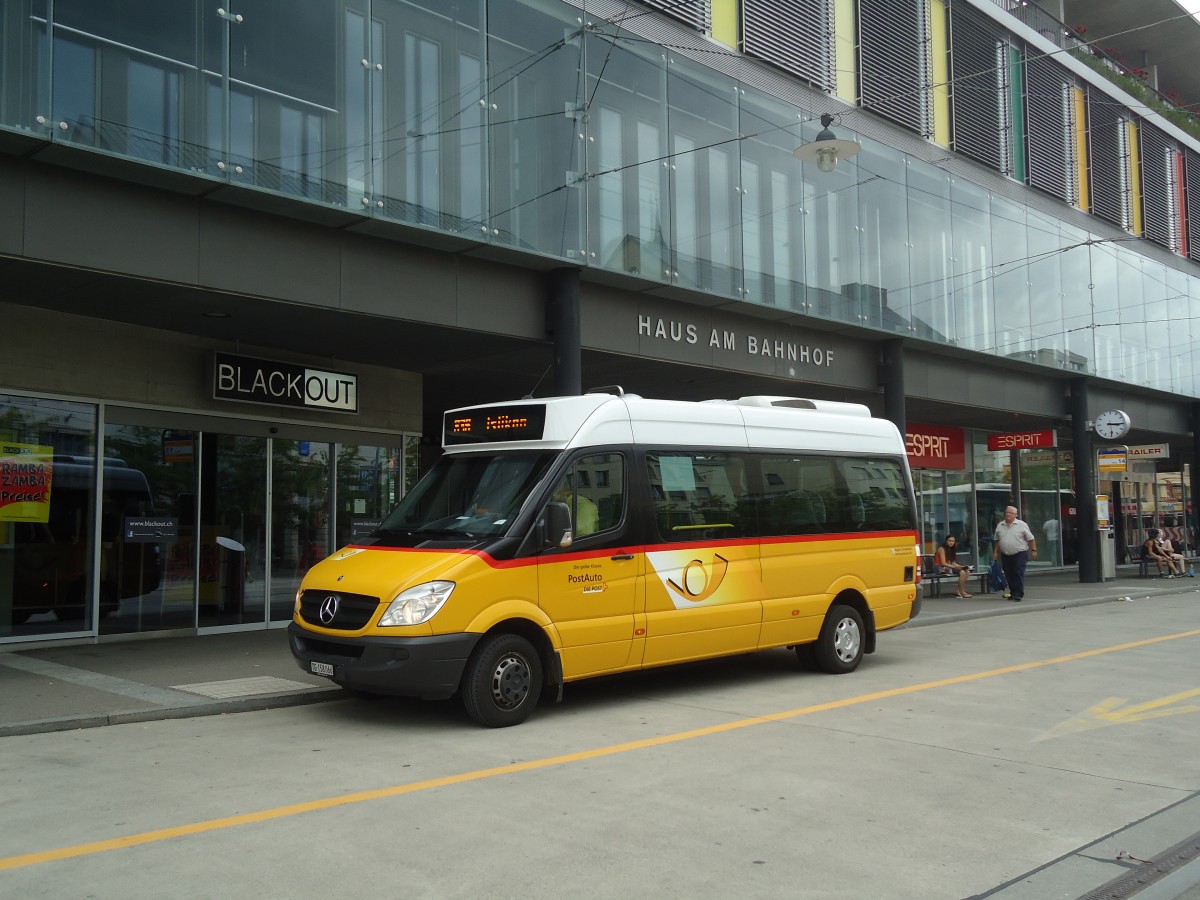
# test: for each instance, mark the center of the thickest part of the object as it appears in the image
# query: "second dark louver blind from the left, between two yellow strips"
(795, 35)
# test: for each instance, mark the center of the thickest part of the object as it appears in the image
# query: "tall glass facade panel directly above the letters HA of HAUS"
(627, 148)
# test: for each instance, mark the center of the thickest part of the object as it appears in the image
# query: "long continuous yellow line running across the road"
(213, 825)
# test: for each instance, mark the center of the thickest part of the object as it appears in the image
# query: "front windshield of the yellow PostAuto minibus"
(476, 496)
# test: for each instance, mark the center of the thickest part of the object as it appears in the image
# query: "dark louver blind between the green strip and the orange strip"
(1051, 129)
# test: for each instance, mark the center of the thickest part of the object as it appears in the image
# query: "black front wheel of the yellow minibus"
(503, 681)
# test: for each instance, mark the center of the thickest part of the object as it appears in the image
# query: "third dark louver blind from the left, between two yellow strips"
(895, 64)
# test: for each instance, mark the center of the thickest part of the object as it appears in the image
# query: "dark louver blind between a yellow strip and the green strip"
(977, 69)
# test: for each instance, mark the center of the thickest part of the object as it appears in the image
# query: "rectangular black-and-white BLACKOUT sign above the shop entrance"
(260, 381)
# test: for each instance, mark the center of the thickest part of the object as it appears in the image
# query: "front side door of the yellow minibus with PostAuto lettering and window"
(593, 590)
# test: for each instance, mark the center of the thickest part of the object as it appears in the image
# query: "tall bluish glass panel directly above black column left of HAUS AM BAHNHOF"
(536, 91)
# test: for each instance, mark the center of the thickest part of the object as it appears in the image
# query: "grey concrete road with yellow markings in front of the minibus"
(1017, 757)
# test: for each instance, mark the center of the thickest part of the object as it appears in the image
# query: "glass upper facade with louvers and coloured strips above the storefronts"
(532, 127)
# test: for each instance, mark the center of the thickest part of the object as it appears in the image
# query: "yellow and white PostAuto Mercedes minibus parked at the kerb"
(565, 538)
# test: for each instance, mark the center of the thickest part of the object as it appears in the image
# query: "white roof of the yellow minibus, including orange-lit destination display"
(607, 419)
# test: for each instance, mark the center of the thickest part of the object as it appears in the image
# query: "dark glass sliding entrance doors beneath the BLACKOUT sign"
(238, 520)
